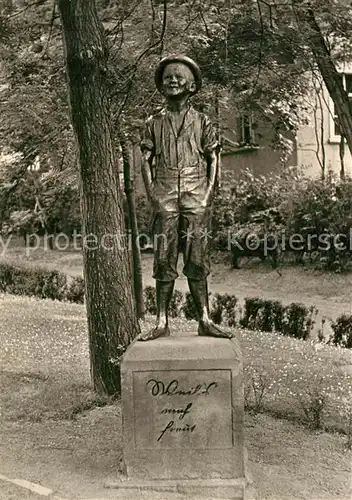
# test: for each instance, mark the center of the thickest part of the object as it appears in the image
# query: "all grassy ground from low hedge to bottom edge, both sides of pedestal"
(53, 426)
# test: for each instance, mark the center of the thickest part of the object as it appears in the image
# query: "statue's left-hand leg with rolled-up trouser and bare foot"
(165, 271)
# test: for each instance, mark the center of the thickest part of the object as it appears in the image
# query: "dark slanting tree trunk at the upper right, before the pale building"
(331, 76)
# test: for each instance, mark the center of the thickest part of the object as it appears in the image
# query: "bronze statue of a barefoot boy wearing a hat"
(179, 171)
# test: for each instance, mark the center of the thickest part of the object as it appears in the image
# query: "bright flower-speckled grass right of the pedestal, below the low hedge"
(299, 374)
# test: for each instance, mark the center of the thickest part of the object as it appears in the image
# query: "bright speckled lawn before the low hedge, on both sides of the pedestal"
(283, 375)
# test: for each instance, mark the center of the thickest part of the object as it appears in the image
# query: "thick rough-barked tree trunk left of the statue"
(112, 320)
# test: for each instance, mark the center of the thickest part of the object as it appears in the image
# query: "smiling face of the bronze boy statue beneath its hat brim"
(178, 80)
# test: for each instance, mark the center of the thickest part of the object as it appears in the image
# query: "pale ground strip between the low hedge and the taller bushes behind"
(330, 293)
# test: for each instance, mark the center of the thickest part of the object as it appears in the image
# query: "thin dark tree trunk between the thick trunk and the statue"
(128, 173)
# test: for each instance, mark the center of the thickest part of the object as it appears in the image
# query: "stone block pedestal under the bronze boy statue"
(182, 410)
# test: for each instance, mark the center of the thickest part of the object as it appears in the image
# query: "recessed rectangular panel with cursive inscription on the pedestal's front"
(182, 409)
